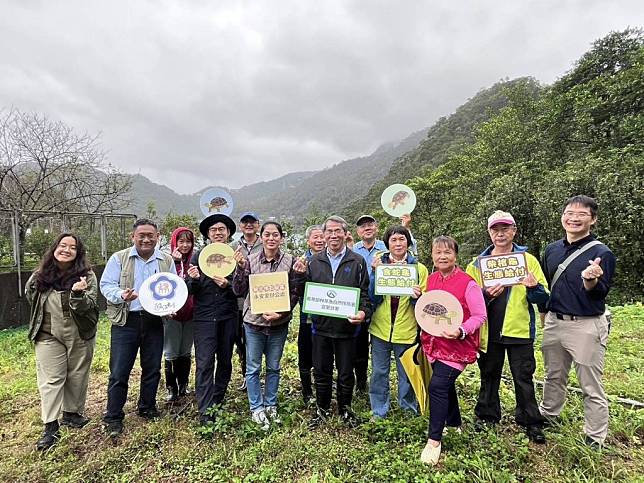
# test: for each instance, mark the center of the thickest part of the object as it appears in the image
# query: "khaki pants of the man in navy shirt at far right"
(582, 341)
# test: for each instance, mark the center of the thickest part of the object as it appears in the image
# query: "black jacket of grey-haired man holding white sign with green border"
(352, 272)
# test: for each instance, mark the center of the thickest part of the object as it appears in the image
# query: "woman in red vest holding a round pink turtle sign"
(457, 345)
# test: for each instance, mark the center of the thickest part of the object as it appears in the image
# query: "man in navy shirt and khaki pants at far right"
(580, 271)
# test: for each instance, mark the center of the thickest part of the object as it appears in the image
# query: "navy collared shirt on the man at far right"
(569, 296)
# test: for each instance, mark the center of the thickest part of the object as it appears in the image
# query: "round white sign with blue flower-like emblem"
(163, 293)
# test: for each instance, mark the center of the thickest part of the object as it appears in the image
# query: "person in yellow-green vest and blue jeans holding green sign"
(393, 327)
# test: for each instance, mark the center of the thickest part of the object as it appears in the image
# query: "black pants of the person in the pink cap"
(522, 366)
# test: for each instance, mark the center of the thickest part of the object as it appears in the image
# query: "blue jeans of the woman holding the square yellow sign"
(259, 344)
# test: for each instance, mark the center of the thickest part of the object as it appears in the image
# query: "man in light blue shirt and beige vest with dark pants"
(133, 328)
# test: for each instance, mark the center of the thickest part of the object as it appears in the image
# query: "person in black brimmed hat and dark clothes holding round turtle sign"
(215, 321)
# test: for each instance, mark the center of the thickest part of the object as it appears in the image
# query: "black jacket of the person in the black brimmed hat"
(211, 302)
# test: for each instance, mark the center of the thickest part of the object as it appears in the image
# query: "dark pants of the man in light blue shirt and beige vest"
(142, 332)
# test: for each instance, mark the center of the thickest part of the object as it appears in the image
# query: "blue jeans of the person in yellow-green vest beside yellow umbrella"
(379, 387)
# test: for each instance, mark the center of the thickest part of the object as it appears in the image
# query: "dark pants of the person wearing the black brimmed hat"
(213, 339)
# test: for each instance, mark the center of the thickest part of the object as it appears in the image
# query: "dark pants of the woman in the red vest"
(443, 401)
